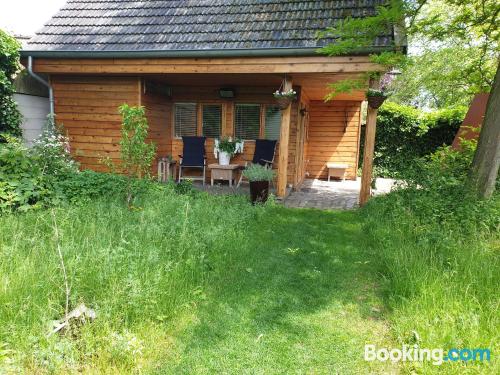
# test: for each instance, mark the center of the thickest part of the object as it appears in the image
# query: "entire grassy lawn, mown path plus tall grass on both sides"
(210, 284)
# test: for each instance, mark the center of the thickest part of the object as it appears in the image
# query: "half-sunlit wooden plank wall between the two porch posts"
(330, 140)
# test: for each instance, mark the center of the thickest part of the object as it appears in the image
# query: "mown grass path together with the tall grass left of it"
(190, 286)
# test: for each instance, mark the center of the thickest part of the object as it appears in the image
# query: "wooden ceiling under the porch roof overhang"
(313, 85)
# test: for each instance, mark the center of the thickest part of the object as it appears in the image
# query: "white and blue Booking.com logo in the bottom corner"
(416, 354)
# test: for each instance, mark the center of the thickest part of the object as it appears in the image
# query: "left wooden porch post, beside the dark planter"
(283, 143)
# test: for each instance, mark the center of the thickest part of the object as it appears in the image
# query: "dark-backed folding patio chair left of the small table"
(193, 156)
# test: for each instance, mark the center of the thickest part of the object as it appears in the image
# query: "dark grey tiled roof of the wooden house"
(187, 25)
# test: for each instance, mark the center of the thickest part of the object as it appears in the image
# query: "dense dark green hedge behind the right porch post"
(405, 134)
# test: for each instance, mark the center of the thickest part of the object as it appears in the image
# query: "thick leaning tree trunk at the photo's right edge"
(484, 170)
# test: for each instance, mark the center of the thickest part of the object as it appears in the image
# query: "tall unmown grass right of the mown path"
(439, 256)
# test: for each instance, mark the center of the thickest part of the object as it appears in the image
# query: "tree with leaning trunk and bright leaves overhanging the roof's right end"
(470, 23)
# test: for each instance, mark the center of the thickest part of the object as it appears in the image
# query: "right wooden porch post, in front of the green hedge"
(369, 149)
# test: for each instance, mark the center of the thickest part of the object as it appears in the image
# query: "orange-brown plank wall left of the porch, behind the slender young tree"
(87, 107)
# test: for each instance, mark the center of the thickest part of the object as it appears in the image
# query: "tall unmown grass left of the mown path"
(135, 268)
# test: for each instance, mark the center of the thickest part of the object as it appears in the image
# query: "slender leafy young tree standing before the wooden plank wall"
(137, 155)
